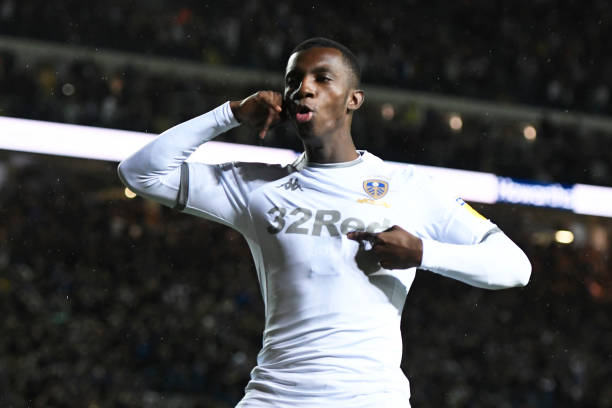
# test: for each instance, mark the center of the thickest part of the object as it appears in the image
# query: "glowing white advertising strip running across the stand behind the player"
(115, 145)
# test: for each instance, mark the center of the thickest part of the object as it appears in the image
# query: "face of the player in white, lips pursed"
(320, 93)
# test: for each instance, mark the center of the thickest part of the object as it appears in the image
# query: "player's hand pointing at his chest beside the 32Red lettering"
(395, 247)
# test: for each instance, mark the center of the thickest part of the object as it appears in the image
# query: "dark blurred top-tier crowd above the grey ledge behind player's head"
(541, 52)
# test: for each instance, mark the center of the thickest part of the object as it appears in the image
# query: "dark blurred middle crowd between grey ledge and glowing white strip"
(83, 92)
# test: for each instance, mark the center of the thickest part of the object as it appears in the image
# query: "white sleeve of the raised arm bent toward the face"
(159, 172)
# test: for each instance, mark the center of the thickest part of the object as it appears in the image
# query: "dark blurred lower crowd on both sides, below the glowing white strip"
(117, 302)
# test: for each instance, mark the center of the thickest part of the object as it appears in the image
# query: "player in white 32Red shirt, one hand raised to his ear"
(336, 236)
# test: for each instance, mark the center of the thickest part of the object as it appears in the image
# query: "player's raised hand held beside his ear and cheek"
(262, 110)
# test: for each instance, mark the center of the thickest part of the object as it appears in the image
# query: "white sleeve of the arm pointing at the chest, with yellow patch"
(463, 245)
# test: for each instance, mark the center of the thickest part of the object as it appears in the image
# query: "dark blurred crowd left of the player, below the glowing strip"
(104, 299)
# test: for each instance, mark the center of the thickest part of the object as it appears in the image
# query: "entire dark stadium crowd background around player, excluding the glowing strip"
(108, 301)
